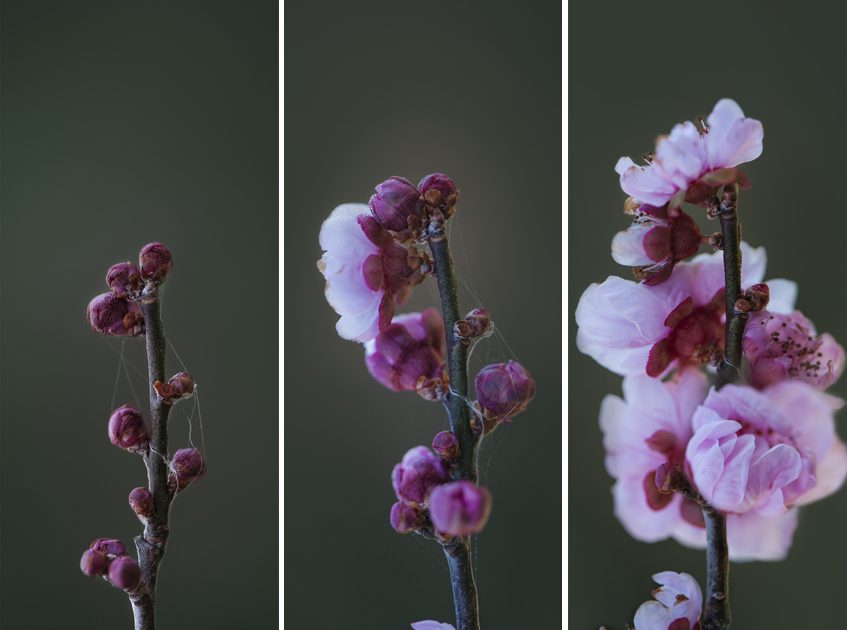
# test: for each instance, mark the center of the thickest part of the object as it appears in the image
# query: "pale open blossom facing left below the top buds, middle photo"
(367, 272)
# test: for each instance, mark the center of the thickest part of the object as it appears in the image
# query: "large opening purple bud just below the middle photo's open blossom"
(410, 348)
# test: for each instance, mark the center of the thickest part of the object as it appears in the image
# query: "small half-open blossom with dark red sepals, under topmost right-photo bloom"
(655, 242)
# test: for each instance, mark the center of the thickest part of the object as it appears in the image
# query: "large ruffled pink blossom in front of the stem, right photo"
(766, 451)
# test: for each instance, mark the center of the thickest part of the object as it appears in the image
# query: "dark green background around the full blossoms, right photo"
(635, 70)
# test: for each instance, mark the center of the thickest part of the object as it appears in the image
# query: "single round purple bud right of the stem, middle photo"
(504, 389)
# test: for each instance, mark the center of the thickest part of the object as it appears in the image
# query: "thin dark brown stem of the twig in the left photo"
(151, 543)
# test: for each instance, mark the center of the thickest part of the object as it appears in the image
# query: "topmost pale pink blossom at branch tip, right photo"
(691, 162)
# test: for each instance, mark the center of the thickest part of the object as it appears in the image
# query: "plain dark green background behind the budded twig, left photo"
(125, 122)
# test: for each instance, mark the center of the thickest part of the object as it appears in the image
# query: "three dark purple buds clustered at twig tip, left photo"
(117, 312)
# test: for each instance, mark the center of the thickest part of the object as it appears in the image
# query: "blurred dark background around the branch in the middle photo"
(379, 88)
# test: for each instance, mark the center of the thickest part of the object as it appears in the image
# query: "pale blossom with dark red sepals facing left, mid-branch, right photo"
(630, 328)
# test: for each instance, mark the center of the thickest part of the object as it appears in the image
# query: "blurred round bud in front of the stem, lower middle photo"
(459, 508)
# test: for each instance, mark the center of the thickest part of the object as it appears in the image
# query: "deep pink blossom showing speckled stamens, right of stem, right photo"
(779, 347)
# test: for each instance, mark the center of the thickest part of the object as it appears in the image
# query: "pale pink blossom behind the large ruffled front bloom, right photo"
(650, 427)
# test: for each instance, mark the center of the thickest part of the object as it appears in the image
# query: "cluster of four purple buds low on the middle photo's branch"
(428, 501)
